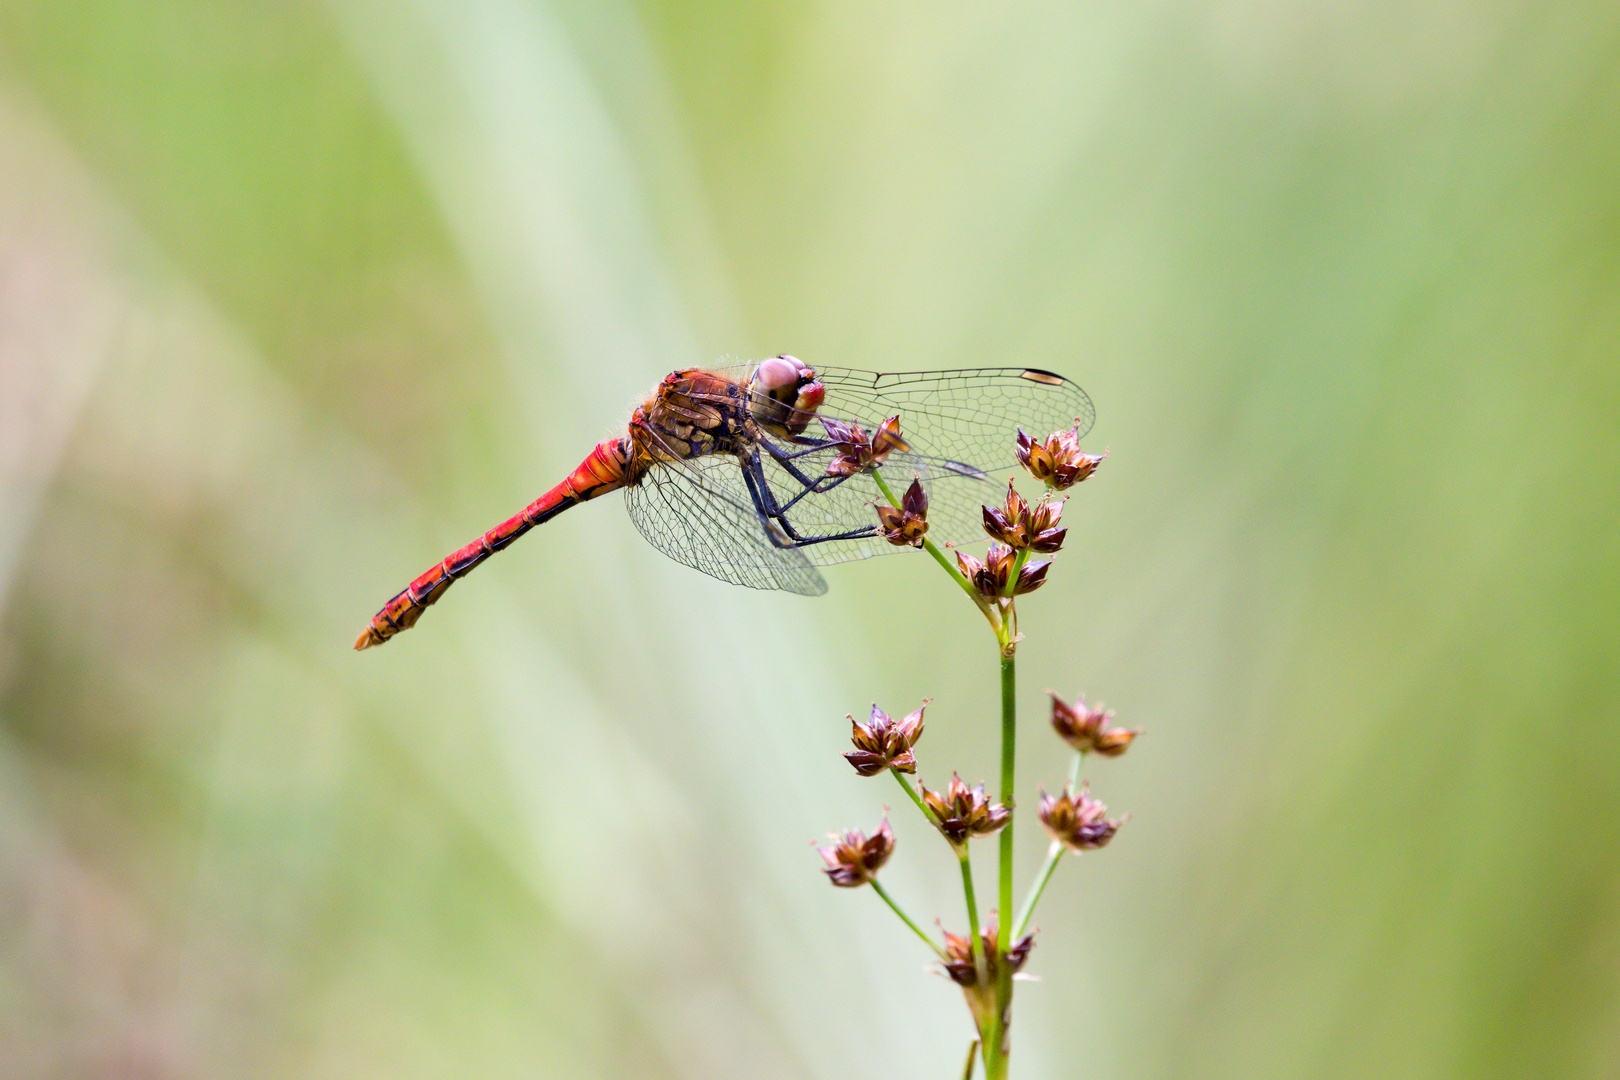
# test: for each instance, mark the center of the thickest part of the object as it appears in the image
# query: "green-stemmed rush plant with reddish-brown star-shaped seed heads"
(986, 959)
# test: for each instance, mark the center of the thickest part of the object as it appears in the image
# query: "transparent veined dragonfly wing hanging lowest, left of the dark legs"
(693, 512)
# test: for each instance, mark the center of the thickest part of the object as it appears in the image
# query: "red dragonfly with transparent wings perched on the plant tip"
(761, 474)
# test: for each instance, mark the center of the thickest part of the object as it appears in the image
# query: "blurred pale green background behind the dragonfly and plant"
(297, 297)
